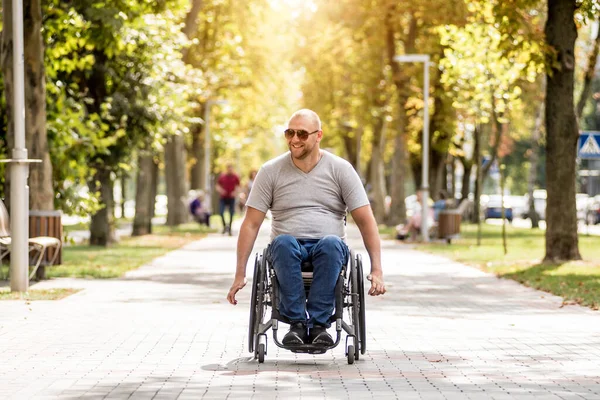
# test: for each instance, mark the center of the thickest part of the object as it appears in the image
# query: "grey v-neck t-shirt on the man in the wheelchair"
(307, 206)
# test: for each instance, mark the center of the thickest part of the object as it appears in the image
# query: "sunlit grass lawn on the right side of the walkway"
(575, 281)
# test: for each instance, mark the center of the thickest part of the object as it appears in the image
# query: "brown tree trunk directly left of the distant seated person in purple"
(175, 179)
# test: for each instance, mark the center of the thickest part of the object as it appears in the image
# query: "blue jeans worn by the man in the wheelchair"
(328, 254)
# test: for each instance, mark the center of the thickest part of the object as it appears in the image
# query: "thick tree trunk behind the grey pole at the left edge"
(41, 193)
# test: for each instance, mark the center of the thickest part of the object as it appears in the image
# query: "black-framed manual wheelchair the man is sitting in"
(349, 295)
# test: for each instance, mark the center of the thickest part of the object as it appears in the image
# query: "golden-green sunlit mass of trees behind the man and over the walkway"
(124, 76)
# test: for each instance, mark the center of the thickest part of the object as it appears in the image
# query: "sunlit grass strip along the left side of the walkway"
(84, 261)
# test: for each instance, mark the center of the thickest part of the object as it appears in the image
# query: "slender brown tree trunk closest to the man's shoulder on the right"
(377, 170)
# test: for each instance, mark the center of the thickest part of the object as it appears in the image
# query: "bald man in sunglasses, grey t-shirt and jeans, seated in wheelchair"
(308, 191)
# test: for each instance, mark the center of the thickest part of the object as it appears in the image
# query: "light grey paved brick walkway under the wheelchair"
(165, 331)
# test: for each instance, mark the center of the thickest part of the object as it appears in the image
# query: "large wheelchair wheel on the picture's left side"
(257, 302)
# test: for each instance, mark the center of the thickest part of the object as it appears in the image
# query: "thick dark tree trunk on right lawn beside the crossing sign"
(562, 133)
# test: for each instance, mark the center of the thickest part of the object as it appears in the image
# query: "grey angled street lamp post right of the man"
(424, 58)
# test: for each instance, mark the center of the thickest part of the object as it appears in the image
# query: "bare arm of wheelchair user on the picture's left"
(246, 238)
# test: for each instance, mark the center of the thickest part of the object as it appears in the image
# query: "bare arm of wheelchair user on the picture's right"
(363, 216)
